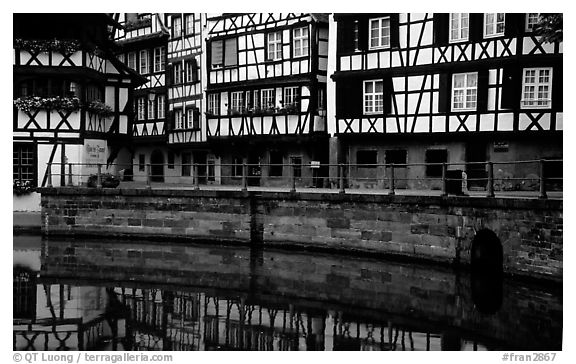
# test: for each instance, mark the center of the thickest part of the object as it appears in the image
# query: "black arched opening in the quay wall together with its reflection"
(486, 278)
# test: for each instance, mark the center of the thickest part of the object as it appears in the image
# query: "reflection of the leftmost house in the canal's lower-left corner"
(63, 317)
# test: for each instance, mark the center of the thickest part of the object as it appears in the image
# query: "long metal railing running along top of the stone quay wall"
(389, 177)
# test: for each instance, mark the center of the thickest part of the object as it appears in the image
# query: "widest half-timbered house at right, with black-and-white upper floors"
(434, 88)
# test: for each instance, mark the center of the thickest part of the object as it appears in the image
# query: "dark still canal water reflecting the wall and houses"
(118, 295)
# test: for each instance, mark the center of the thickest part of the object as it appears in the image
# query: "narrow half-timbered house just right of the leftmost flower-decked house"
(143, 41)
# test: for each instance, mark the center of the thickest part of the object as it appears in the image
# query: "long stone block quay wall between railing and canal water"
(430, 228)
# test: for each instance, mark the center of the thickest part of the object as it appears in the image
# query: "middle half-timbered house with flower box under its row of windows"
(266, 92)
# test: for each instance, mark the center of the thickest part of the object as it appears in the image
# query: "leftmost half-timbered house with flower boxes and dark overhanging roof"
(72, 100)
